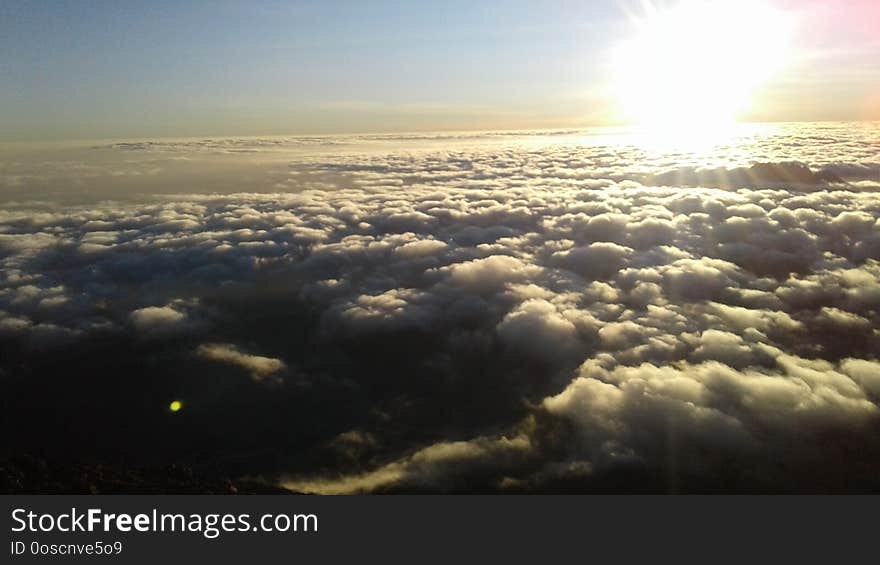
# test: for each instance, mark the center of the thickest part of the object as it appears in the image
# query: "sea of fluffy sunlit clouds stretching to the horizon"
(492, 313)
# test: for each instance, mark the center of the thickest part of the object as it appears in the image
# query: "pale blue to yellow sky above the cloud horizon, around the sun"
(96, 69)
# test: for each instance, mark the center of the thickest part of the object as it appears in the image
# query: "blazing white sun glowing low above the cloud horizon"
(697, 64)
